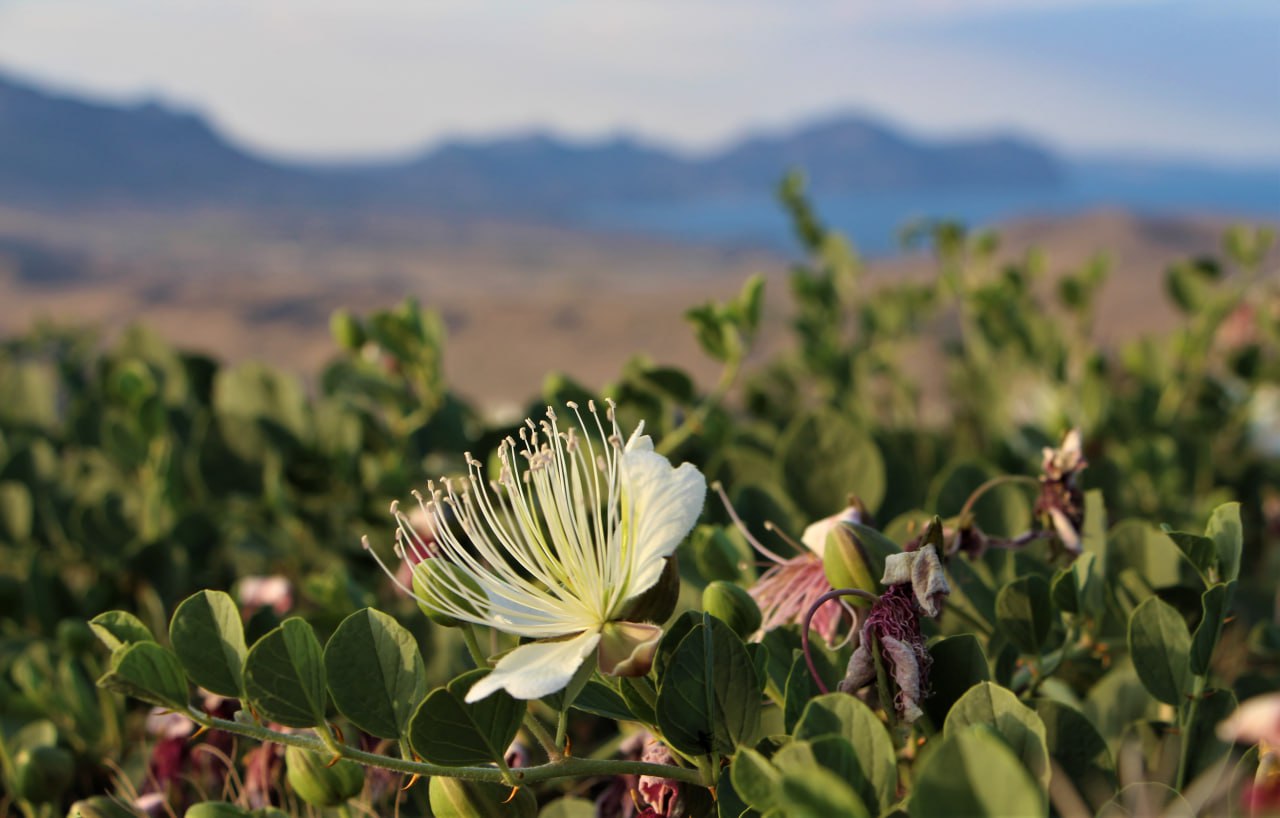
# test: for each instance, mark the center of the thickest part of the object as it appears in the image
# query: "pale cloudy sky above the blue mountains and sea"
(345, 79)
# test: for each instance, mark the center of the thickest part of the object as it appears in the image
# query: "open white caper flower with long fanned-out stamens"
(556, 549)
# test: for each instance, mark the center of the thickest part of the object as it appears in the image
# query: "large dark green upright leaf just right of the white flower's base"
(710, 701)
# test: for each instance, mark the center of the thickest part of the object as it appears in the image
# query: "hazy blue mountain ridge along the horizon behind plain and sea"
(60, 149)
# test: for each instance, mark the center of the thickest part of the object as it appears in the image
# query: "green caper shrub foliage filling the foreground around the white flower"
(1095, 628)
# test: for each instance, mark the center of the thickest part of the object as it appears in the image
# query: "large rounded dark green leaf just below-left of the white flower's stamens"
(376, 671)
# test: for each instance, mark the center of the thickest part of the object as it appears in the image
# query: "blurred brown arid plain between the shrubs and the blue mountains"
(518, 301)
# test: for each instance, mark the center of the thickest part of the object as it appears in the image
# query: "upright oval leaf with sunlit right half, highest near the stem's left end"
(209, 638)
